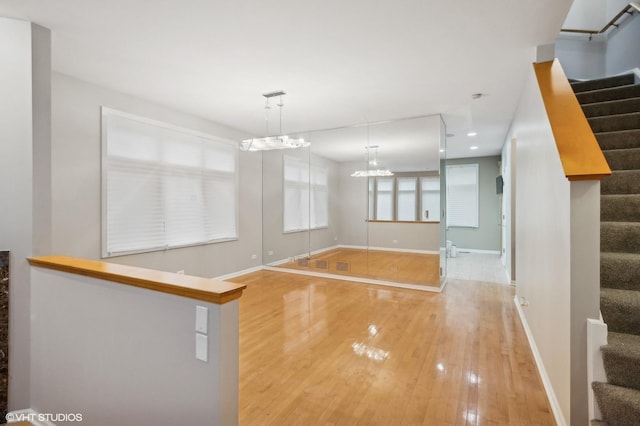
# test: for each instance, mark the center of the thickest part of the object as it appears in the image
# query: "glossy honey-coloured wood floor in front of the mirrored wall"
(327, 352)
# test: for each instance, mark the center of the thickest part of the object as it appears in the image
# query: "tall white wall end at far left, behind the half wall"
(24, 115)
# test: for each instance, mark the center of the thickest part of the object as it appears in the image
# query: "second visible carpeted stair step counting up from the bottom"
(621, 357)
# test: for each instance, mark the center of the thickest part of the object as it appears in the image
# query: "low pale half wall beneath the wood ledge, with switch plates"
(122, 355)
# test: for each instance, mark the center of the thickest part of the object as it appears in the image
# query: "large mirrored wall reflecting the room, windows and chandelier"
(361, 202)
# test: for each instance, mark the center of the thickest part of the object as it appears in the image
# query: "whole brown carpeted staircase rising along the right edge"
(612, 106)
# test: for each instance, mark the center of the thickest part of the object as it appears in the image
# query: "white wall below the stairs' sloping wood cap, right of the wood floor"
(543, 243)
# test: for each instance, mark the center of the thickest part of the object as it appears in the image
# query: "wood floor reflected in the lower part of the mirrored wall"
(403, 267)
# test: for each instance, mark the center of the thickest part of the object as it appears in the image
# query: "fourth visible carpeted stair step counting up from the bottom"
(620, 271)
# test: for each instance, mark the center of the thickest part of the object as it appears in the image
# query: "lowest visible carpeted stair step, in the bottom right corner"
(619, 406)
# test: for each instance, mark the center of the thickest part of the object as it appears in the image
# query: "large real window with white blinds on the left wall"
(164, 187)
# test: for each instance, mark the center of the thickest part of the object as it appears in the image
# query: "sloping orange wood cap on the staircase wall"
(580, 154)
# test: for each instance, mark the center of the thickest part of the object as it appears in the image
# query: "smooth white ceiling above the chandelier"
(341, 62)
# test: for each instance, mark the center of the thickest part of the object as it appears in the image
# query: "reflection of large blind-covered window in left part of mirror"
(306, 195)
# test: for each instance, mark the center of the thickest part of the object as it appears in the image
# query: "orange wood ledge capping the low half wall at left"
(208, 290)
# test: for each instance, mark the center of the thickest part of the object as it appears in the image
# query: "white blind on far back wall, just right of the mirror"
(462, 195)
